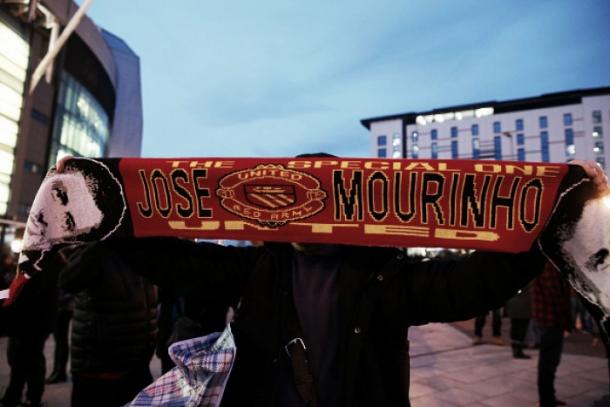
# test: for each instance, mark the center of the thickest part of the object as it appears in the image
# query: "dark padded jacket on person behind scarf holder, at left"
(114, 325)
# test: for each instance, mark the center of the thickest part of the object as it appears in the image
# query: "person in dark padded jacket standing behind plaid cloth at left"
(114, 330)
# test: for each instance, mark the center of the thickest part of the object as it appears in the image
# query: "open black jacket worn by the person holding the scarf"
(382, 293)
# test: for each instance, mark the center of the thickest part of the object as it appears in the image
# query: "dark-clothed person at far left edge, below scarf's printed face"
(32, 320)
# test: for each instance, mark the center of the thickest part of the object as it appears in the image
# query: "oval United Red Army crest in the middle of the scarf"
(271, 194)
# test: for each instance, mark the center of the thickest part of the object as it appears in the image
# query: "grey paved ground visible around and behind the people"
(446, 370)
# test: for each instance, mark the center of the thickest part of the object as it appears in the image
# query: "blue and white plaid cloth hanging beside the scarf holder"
(202, 369)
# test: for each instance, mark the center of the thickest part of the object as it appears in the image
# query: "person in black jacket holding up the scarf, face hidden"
(354, 306)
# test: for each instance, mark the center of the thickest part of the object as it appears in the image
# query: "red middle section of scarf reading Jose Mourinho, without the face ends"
(488, 205)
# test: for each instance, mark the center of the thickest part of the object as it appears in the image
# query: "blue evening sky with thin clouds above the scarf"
(278, 78)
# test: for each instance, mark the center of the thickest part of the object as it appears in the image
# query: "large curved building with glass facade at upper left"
(88, 104)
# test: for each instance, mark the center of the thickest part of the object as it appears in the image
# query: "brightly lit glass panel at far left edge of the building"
(14, 57)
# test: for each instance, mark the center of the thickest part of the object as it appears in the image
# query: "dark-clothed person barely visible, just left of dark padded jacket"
(60, 335)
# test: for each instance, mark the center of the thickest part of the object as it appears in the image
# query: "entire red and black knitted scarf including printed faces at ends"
(488, 205)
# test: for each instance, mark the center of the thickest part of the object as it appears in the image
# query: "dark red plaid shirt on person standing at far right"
(551, 300)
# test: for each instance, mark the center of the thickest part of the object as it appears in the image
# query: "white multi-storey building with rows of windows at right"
(555, 127)
